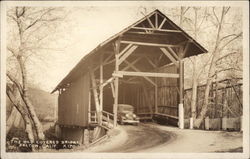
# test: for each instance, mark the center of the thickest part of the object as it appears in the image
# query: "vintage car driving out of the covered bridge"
(125, 114)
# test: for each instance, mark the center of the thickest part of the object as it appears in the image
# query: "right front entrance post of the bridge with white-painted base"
(181, 84)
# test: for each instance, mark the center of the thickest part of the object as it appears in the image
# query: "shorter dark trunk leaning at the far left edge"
(15, 99)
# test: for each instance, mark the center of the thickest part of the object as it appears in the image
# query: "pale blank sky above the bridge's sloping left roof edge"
(83, 31)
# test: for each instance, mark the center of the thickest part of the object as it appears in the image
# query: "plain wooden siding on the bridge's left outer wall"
(73, 103)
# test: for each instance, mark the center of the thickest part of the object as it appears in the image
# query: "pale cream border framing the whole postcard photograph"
(243, 4)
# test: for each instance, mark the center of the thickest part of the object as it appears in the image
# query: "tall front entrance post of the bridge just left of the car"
(116, 82)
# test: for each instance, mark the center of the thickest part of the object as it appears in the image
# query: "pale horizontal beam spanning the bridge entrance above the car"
(148, 74)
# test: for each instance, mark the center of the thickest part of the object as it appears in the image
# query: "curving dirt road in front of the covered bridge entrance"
(156, 138)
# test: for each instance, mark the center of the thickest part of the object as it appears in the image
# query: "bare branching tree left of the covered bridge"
(30, 29)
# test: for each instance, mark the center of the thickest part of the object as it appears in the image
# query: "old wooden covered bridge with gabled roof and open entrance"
(142, 66)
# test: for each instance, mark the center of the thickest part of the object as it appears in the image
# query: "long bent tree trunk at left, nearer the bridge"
(29, 106)
